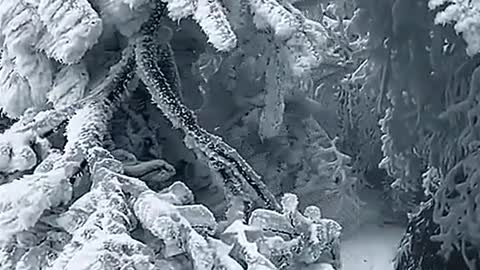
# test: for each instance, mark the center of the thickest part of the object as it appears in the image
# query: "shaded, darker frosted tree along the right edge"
(427, 55)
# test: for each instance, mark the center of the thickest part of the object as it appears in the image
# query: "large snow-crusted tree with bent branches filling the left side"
(73, 199)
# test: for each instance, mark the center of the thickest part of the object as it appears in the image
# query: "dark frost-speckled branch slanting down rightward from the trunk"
(221, 157)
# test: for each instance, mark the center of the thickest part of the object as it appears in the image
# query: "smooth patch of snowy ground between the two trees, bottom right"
(371, 246)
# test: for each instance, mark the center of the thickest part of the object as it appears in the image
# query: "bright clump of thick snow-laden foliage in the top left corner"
(33, 34)
